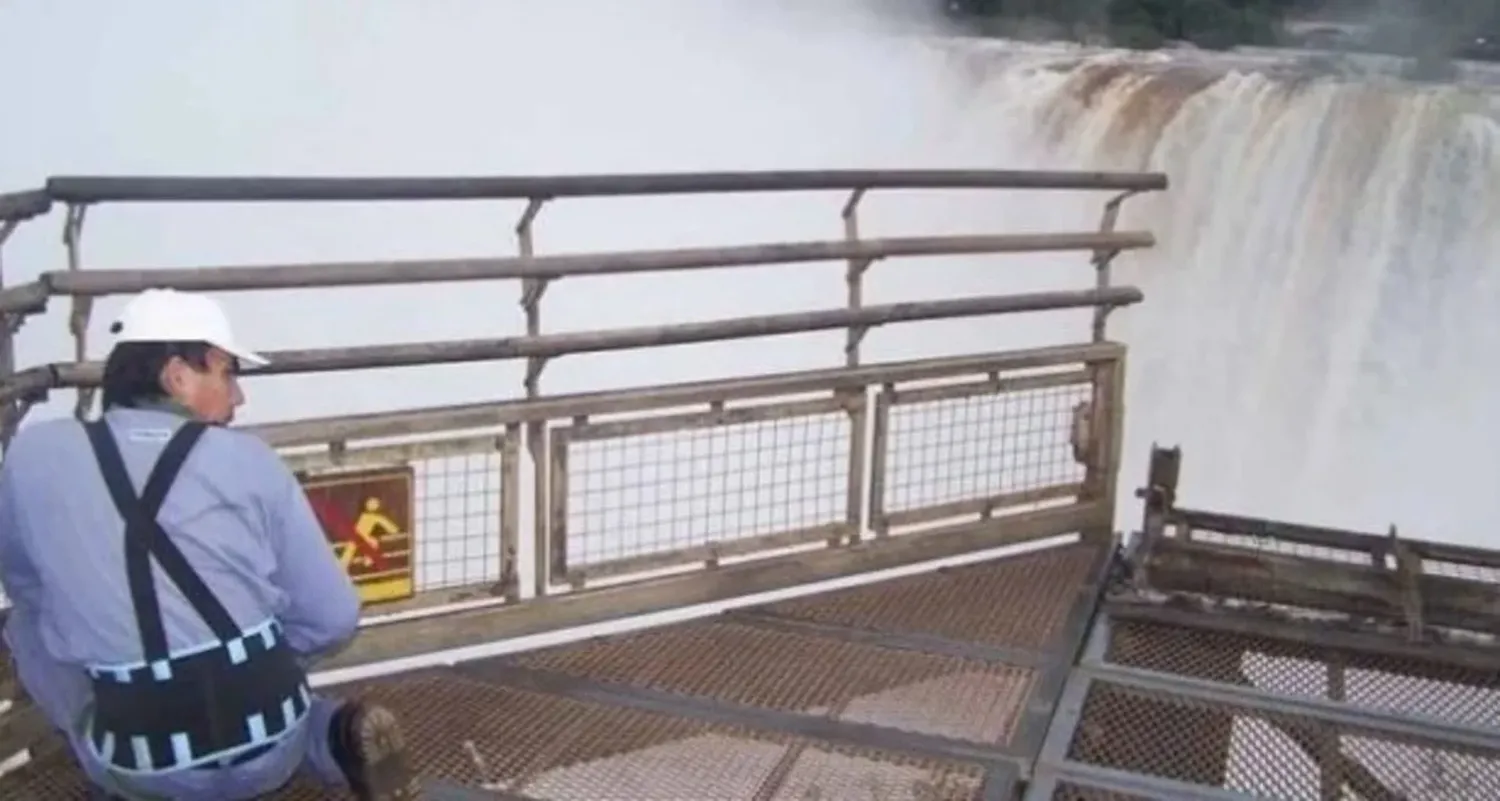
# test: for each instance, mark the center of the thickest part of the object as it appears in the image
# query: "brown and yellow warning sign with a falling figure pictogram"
(368, 518)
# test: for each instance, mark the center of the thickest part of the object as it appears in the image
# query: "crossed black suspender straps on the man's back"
(145, 538)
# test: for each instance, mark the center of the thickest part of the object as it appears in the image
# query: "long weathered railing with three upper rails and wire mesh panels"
(970, 451)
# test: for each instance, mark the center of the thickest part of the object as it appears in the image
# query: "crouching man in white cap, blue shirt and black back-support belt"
(170, 583)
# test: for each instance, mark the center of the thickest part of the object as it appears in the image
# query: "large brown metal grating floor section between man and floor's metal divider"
(929, 688)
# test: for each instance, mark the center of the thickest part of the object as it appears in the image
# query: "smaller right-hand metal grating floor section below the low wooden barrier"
(1274, 719)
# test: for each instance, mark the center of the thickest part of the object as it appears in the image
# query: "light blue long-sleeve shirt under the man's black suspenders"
(236, 512)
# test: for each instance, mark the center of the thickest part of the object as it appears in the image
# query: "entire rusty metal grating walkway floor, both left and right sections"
(1051, 676)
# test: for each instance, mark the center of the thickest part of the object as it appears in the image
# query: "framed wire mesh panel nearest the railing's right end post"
(980, 448)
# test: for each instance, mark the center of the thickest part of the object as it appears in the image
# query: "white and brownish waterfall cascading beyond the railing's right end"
(1321, 317)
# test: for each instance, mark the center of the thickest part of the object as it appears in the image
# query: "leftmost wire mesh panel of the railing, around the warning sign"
(458, 533)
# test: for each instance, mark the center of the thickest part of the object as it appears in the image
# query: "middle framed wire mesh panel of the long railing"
(644, 494)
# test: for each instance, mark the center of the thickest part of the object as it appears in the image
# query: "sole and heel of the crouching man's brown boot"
(371, 751)
